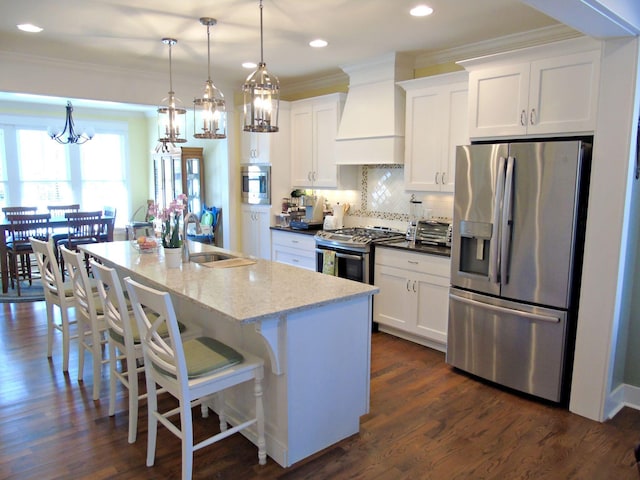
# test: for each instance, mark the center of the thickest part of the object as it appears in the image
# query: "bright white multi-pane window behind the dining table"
(91, 174)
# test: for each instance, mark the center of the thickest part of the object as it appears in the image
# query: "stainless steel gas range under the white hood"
(353, 250)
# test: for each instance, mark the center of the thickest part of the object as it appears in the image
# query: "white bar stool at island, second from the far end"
(89, 315)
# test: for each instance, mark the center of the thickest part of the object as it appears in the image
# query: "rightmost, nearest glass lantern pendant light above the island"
(261, 97)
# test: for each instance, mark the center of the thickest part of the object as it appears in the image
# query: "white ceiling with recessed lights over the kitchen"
(128, 33)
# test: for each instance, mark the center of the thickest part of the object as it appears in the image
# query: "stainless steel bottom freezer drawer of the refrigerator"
(512, 344)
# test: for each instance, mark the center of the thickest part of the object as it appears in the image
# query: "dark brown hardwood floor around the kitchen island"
(427, 421)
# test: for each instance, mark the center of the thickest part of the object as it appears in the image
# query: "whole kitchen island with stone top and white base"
(312, 330)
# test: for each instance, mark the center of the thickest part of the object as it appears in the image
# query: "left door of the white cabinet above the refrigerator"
(498, 101)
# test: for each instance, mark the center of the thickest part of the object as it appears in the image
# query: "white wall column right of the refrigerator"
(605, 296)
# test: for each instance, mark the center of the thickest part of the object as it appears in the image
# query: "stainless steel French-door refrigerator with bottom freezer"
(516, 257)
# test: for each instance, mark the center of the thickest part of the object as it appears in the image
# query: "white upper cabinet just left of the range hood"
(314, 125)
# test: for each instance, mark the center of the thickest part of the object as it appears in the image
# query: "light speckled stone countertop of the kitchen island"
(246, 293)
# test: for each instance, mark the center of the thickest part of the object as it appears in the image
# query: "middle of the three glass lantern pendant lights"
(209, 113)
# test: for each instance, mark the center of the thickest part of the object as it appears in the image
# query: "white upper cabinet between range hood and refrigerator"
(436, 122)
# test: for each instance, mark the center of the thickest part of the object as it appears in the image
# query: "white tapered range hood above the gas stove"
(371, 130)
